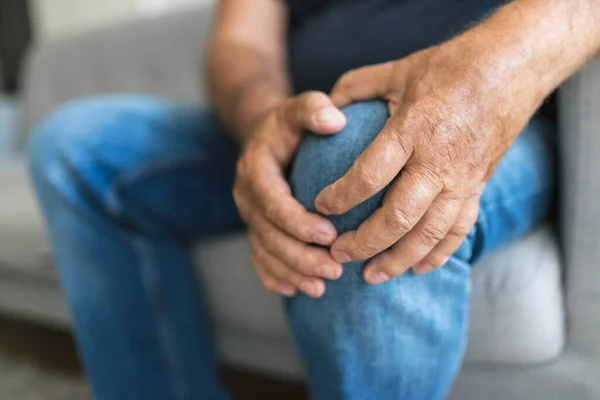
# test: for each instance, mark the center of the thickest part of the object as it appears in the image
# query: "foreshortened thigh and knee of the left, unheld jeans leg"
(152, 165)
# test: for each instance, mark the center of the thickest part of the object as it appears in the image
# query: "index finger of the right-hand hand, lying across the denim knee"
(376, 167)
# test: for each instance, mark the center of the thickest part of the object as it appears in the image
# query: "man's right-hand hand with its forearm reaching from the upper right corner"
(455, 109)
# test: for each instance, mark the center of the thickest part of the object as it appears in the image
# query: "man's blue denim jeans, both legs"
(126, 182)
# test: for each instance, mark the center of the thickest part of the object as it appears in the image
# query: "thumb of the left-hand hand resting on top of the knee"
(314, 111)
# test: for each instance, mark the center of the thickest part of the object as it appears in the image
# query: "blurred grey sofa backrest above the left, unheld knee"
(158, 56)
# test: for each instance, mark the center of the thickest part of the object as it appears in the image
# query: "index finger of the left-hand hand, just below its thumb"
(272, 195)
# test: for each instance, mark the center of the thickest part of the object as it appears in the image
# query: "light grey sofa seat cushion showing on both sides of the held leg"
(516, 307)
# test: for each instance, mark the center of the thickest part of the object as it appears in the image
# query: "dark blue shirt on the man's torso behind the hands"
(329, 37)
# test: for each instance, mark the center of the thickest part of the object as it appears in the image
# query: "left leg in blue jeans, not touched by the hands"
(123, 181)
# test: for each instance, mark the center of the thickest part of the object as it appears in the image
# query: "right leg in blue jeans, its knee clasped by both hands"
(403, 339)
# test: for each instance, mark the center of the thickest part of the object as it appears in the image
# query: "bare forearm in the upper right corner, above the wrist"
(536, 44)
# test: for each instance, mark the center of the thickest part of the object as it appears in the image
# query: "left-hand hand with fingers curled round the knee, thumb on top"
(279, 228)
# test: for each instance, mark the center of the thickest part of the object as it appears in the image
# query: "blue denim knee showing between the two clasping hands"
(321, 160)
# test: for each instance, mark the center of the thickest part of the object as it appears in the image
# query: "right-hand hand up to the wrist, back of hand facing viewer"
(453, 116)
